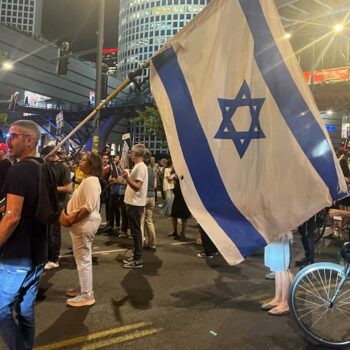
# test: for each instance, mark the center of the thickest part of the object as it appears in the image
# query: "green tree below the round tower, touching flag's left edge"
(151, 119)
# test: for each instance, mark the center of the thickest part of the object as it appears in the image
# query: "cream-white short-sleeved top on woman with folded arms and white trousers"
(87, 195)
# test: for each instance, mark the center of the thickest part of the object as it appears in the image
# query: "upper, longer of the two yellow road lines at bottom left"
(93, 336)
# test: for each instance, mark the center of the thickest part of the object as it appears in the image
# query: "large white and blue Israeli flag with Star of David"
(243, 128)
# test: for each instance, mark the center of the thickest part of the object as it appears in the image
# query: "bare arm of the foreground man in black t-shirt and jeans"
(11, 218)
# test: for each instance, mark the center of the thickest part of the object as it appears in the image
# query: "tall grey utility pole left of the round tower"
(100, 37)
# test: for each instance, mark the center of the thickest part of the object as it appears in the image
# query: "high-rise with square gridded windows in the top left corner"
(24, 15)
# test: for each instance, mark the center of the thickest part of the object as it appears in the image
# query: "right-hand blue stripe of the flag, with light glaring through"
(290, 101)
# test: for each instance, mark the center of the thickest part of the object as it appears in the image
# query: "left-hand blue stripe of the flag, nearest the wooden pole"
(199, 158)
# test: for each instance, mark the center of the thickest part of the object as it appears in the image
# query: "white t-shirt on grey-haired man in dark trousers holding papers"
(139, 198)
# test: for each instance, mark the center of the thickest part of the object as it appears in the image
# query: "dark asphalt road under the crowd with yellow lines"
(177, 301)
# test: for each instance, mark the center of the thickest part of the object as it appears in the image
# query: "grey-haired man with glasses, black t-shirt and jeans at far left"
(23, 240)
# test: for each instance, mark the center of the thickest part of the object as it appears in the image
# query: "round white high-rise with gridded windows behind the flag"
(145, 25)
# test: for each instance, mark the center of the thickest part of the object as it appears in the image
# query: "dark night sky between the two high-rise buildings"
(75, 21)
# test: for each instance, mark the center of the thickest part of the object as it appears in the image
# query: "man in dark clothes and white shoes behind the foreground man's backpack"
(64, 188)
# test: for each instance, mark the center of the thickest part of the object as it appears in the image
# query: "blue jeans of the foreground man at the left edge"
(18, 288)
